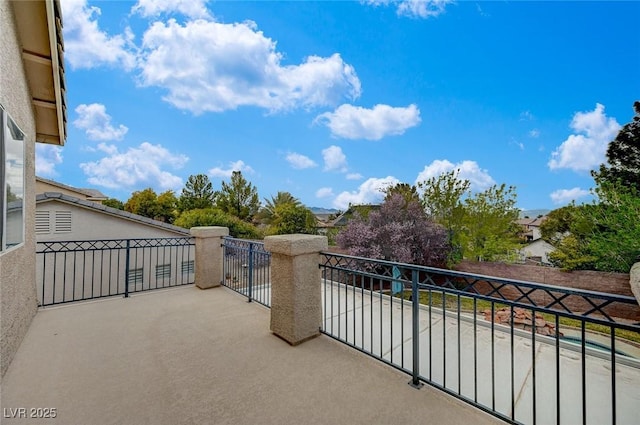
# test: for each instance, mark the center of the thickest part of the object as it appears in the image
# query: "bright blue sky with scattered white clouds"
(334, 100)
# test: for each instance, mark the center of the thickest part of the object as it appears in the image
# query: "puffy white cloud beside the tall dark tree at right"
(586, 149)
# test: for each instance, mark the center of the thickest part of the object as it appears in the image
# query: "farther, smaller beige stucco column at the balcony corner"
(209, 255)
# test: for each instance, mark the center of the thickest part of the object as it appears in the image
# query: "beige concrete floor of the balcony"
(188, 356)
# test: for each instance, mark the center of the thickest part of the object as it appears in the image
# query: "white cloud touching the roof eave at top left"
(86, 45)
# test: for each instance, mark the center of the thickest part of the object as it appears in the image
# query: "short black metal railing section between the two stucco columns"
(246, 269)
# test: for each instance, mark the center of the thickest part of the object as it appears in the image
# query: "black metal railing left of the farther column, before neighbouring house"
(80, 270)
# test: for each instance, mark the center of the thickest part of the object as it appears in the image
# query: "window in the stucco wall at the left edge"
(13, 182)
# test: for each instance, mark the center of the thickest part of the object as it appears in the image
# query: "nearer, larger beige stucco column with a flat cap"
(296, 310)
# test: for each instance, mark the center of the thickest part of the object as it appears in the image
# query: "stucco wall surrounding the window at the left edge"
(18, 302)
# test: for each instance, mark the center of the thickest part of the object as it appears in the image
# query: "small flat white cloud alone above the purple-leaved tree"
(355, 122)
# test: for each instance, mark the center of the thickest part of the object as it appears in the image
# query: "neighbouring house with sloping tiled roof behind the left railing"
(147, 262)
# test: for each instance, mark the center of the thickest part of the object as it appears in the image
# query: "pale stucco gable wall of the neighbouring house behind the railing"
(101, 270)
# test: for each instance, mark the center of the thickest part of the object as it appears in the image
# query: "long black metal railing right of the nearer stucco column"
(524, 352)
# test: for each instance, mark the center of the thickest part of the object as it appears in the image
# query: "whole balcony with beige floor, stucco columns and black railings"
(521, 351)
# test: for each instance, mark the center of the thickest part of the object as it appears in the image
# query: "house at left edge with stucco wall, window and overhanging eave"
(32, 110)
